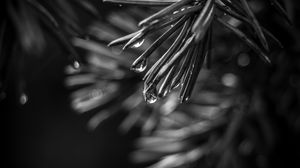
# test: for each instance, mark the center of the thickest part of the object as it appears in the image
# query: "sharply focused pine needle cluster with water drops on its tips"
(189, 21)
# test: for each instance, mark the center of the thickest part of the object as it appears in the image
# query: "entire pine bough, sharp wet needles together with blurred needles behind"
(220, 125)
